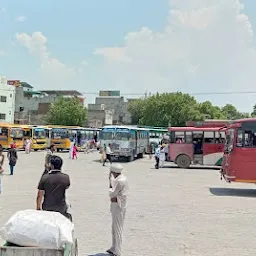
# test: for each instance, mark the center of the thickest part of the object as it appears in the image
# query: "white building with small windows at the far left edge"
(7, 101)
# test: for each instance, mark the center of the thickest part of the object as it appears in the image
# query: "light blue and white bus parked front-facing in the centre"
(128, 142)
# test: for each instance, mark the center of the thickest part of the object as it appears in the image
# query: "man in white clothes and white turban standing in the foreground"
(118, 191)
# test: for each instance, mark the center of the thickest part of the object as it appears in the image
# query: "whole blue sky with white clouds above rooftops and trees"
(203, 47)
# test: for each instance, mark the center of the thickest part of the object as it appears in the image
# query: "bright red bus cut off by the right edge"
(239, 161)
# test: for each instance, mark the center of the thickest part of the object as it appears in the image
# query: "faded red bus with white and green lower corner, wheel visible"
(194, 145)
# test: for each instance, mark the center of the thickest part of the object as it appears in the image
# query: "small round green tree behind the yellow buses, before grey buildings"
(67, 111)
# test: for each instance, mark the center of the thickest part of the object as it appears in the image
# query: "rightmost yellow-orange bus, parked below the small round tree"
(61, 136)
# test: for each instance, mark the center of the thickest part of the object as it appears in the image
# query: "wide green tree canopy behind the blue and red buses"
(176, 109)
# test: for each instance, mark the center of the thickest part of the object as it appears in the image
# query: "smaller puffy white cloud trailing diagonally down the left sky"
(51, 67)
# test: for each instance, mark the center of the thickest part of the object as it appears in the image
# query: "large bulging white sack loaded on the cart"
(38, 229)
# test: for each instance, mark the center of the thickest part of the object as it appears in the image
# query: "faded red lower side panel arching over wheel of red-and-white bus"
(176, 149)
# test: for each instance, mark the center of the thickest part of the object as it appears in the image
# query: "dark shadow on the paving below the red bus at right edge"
(236, 192)
